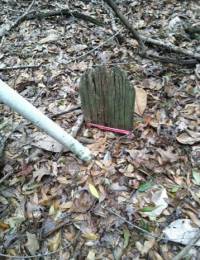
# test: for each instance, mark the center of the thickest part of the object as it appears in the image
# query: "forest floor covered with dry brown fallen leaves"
(140, 196)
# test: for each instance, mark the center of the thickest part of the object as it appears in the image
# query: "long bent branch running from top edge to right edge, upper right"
(148, 40)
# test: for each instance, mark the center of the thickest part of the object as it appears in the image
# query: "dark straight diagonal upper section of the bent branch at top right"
(125, 22)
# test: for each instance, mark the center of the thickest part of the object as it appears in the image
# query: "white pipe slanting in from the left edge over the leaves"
(12, 99)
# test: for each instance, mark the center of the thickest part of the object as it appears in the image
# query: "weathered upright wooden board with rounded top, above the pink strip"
(107, 98)
